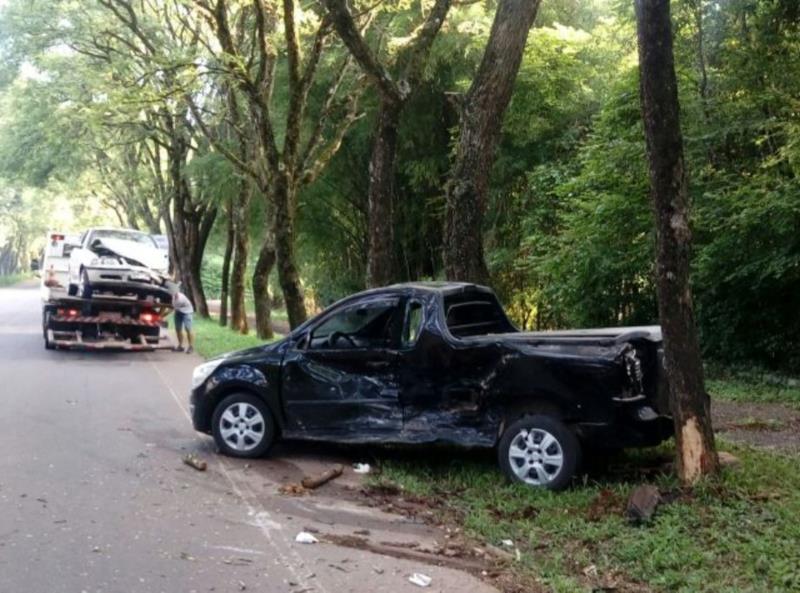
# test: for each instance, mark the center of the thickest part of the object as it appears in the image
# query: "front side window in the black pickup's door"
(363, 325)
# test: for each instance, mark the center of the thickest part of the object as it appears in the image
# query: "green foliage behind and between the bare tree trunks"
(569, 233)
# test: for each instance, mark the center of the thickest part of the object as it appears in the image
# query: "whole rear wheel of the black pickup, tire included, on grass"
(539, 451)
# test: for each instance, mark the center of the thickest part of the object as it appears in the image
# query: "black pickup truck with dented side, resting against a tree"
(440, 362)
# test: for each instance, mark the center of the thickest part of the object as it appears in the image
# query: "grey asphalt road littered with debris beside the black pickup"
(94, 497)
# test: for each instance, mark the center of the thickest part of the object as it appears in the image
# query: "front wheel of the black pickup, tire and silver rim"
(243, 426)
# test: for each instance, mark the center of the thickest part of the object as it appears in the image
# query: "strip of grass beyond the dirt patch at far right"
(751, 386)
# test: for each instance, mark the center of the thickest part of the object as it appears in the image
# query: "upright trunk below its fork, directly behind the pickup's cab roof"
(380, 259)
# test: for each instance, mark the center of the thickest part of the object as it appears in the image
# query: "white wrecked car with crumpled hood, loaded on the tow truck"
(120, 262)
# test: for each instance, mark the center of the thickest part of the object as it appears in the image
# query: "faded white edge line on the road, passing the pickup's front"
(253, 509)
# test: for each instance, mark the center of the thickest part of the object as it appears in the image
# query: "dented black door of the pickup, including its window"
(341, 378)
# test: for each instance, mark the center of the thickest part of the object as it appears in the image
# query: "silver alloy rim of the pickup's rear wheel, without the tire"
(536, 457)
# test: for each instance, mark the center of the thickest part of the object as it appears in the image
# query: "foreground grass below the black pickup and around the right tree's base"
(732, 536)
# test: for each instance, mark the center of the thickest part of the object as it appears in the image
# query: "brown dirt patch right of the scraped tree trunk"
(765, 425)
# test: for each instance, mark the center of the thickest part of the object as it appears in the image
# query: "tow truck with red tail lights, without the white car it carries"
(100, 322)
